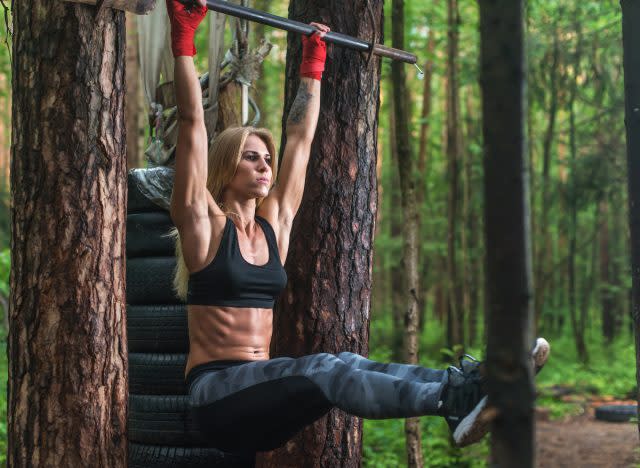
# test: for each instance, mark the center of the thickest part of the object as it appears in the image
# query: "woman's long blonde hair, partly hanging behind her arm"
(224, 156)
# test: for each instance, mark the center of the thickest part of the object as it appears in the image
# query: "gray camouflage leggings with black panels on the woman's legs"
(259, 405)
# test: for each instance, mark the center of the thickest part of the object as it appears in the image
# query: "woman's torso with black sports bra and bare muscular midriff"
(238, 326)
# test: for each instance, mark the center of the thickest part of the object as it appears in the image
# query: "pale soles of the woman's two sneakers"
(474, 427)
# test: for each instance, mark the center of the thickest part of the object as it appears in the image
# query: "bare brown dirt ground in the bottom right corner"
(585, 442)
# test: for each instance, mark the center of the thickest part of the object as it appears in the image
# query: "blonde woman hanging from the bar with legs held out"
(234, 225)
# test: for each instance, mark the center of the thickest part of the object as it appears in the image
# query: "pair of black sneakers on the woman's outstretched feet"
(464, 401)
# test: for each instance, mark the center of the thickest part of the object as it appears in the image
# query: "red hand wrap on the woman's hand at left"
(184, 22)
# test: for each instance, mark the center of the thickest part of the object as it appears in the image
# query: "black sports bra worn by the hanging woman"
(229, 280)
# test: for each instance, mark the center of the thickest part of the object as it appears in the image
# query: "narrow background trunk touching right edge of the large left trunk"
(134, 111)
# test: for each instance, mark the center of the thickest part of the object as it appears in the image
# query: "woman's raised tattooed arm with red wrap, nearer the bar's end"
(284, 200)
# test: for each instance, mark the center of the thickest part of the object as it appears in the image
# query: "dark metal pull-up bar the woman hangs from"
(279, 22)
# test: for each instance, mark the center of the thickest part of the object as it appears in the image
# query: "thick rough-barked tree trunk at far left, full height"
(67, 352)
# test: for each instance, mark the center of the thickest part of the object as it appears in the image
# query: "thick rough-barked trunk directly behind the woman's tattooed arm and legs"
(327, 301)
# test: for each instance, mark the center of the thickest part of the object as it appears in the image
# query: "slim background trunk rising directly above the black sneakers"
(453, 157)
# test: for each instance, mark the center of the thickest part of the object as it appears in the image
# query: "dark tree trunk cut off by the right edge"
(631, 39)
